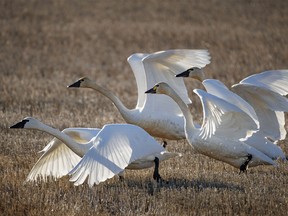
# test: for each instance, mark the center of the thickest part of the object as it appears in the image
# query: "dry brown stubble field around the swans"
(46, 45)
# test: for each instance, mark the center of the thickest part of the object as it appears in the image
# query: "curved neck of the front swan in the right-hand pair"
(188, 118)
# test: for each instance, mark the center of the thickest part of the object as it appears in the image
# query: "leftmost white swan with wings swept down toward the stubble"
(114, 148)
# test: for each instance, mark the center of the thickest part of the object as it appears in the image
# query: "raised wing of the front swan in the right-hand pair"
(223, 119)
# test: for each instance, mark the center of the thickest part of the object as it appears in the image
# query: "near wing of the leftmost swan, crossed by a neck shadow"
(115, 147)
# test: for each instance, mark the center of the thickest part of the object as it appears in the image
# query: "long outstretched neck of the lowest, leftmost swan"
(77, 148)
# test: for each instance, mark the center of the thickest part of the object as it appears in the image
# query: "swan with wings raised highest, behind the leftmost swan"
(159, 116)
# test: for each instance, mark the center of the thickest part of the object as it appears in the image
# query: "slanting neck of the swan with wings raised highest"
(125, 112)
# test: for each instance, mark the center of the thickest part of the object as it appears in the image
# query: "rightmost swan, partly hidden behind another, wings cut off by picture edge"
(263, 92)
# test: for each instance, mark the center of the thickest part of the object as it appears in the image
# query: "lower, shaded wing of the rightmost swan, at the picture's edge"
(269, 107)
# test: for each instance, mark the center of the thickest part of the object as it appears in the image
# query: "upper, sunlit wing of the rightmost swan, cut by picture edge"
(274, 80)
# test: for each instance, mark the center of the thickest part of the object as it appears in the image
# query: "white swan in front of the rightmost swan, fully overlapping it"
(223, 126)
